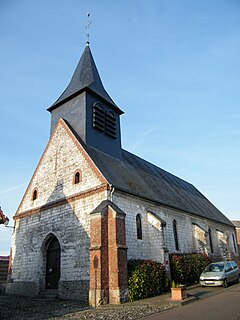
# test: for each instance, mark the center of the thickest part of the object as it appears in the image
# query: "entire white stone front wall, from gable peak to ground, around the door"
(68, 219)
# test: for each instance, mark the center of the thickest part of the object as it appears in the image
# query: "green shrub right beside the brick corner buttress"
(146, 278)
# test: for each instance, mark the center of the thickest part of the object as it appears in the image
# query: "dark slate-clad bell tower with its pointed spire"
(88, 108)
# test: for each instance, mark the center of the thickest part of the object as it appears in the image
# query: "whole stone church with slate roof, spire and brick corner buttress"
(91, 205)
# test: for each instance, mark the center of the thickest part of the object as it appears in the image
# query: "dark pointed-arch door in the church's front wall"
(53, 264)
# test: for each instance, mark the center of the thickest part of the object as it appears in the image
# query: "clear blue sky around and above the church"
(172, 66)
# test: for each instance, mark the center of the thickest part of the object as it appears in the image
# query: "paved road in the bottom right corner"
(222, 306)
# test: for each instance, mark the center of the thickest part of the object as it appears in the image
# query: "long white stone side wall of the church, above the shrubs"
(190, 237)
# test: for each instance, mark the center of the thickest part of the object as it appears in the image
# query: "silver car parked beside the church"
(220, 274)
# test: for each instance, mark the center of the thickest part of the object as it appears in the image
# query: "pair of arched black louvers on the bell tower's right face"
(105, 121)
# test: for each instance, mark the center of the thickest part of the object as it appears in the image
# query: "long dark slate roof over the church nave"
(139, 177)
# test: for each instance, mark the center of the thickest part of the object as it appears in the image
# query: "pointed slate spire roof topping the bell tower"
(85, 76)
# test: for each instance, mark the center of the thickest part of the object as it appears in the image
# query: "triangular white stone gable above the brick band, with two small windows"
(54, 175)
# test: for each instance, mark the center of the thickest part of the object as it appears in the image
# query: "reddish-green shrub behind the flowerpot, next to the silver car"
(187, 267)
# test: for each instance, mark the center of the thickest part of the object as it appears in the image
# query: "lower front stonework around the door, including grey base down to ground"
(72, 231)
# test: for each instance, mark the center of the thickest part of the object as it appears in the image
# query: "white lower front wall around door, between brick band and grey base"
(70, 223)
